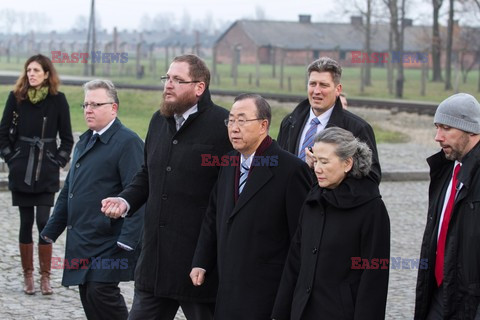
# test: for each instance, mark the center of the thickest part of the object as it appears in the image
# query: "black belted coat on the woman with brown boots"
(30, 121)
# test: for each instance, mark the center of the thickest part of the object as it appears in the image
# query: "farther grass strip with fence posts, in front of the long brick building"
(125, 73)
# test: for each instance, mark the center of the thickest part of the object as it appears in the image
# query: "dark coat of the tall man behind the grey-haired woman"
(292, 126)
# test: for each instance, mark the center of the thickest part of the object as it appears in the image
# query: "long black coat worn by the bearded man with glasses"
(176, 187)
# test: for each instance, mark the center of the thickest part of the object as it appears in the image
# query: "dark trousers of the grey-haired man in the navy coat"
(103, 301)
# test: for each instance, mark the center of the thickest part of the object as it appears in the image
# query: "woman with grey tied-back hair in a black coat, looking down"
(337, 267)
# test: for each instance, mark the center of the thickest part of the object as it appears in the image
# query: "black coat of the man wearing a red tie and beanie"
(461, 283)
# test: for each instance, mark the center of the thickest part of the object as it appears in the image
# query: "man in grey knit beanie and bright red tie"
(450, 287)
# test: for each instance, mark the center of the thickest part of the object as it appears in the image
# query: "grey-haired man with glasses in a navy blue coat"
(100, 252)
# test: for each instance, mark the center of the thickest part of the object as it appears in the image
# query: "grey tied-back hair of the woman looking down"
(347, 146)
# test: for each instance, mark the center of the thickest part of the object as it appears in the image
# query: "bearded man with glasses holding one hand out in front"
(176, 188)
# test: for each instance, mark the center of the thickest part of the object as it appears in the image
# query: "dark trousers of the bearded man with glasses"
(148, 307)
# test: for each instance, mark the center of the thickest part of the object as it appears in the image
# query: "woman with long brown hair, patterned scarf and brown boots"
(34, 113)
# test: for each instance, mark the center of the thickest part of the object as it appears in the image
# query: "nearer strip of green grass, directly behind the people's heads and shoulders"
(137, 107)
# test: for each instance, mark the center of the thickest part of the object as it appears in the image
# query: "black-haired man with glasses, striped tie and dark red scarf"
(252, 216)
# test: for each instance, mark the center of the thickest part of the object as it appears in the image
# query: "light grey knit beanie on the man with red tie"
(461, 111)
